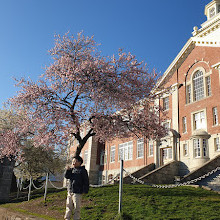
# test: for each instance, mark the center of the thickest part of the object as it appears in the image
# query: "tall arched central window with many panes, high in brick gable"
(198, 85)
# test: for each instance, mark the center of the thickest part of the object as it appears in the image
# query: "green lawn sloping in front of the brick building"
(139, 202)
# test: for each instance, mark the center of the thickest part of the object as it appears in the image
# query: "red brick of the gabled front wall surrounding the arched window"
(207, 56)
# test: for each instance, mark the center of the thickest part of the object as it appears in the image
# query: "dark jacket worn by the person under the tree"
(79, 180)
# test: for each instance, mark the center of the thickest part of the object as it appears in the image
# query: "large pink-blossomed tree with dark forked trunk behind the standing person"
(110, 96)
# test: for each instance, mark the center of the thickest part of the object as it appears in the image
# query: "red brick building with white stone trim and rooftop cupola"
(192, 107)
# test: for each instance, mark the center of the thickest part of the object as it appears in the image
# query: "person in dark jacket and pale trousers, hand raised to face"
(78, 184)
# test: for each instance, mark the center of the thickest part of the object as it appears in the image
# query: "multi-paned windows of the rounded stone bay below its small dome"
(200, 147)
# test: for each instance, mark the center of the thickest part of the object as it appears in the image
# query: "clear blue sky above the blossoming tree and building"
(154, 31)
